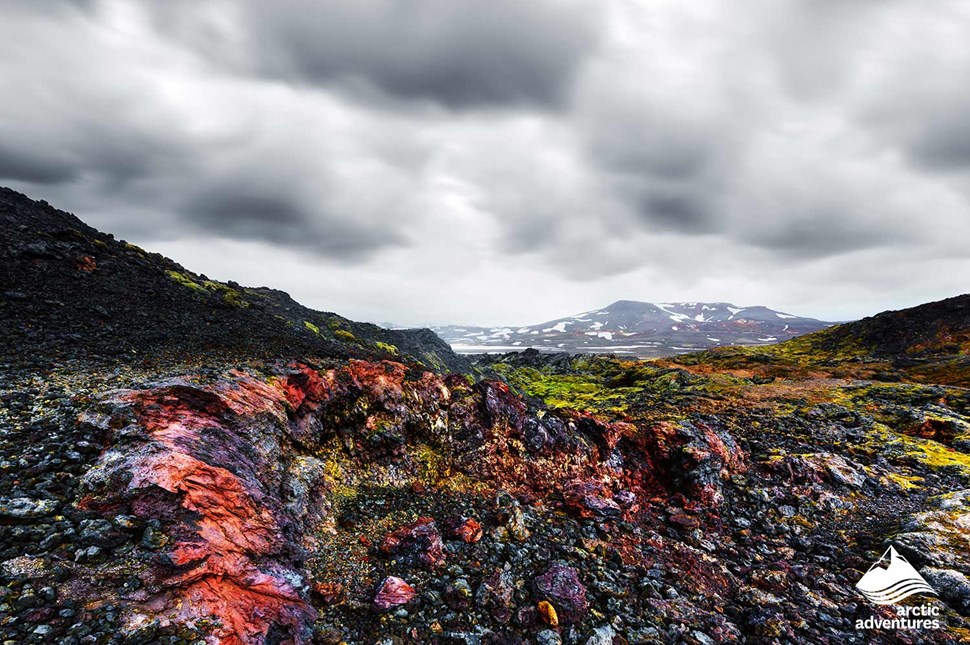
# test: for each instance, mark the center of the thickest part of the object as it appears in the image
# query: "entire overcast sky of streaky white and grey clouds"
(509, 161)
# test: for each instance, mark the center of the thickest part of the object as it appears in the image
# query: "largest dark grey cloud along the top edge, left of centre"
(473, 53)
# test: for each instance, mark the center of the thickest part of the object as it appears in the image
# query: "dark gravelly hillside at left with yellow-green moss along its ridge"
(139, 305)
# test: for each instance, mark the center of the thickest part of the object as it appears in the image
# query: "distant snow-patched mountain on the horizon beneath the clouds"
(640, 329)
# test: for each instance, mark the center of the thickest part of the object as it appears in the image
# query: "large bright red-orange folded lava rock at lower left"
(228, 557)
